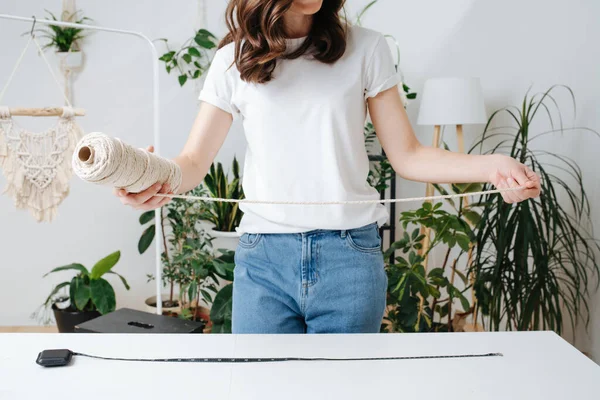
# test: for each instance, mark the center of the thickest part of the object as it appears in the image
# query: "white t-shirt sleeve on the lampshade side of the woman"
(381, 71)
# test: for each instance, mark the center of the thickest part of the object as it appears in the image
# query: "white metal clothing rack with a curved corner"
(155, 119)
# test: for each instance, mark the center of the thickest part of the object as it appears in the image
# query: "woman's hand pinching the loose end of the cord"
(509, 173)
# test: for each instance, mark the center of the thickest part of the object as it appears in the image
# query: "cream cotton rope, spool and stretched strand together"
(108, 161)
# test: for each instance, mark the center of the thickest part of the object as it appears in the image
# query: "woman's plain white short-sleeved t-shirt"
(305, 136)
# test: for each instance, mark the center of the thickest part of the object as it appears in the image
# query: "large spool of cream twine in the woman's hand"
(108, 161)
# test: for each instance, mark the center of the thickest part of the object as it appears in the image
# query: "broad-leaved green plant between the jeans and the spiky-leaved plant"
(423, 299)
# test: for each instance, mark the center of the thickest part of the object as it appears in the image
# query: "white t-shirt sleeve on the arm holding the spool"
(218, 85)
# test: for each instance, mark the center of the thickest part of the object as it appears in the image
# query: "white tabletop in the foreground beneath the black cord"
(536, 365)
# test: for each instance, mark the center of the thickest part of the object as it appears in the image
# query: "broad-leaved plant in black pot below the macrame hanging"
(89, 295)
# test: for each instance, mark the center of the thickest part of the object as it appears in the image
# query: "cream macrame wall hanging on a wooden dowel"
(37, 166)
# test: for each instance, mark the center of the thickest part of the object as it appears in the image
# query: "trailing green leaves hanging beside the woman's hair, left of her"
(193, 58)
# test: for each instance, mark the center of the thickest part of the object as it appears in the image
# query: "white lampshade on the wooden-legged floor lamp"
(452, 101)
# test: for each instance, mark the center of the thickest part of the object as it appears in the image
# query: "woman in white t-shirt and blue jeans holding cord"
(301, 81)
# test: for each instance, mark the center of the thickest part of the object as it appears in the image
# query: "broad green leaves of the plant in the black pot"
(88, 291)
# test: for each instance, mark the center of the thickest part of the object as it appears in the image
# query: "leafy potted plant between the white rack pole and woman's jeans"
(191, 269)
